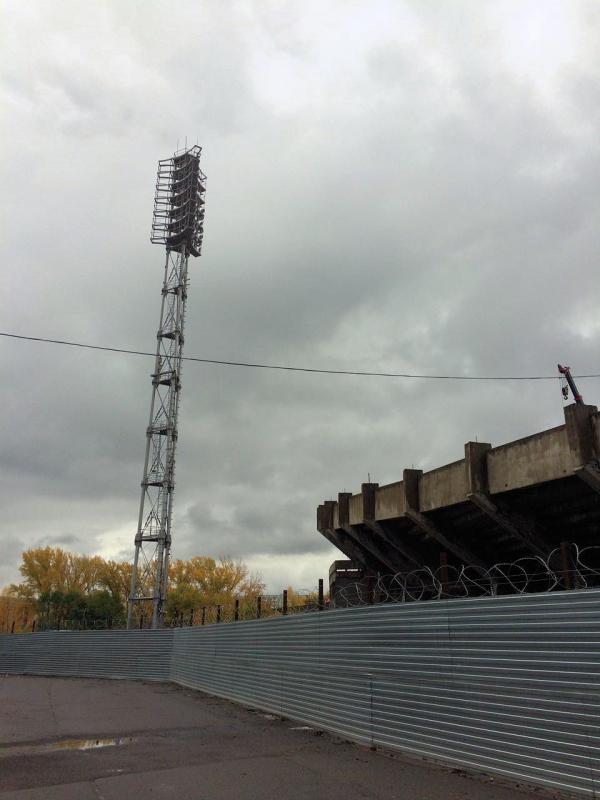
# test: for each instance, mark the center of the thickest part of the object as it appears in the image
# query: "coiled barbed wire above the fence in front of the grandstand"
(564, 568)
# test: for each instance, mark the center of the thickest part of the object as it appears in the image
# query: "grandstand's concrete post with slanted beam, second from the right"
(519, 526)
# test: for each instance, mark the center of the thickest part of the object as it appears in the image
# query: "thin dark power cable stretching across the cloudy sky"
(297, 369)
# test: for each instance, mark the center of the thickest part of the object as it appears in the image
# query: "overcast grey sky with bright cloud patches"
(398, 186)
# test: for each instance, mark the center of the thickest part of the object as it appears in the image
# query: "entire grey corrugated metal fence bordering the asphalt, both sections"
(509, 685)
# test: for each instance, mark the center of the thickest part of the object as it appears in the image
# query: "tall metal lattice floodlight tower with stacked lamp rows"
(177, 224)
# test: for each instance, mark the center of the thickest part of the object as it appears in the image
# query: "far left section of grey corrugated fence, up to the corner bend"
(101, 654)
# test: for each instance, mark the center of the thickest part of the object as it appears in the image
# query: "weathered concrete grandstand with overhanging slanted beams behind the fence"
(494, 504)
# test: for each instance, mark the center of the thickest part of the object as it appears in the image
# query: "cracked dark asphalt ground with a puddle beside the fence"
(89, 739)
